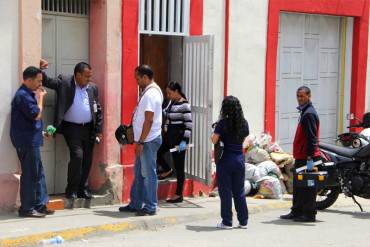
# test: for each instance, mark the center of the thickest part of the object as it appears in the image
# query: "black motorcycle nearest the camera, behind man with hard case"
(348, 172)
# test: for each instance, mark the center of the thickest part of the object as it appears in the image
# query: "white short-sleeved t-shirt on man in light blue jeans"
(151, 101)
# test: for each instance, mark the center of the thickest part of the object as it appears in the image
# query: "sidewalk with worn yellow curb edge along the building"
(82, 223)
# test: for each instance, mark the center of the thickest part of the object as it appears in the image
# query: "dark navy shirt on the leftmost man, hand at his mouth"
(25, 131)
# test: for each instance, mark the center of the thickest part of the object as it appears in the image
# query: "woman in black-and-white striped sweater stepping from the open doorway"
(176, 133)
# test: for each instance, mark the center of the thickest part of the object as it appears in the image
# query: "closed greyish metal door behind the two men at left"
(65, 42)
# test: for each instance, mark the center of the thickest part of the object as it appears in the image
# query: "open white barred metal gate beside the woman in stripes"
(198, 81)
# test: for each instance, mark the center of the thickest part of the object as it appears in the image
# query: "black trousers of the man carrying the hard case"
(304, 198)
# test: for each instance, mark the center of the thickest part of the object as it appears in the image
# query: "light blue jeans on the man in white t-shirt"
(144, 188)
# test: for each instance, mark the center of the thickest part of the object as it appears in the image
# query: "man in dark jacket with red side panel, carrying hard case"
(306, 153)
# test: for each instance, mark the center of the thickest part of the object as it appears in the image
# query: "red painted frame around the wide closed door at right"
(359, 9)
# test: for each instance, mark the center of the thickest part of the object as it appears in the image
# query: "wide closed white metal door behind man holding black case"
(308, 54)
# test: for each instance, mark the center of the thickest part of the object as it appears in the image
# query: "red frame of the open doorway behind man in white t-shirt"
(130, 60)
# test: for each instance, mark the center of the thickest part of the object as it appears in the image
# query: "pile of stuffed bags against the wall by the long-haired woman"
(267, 169)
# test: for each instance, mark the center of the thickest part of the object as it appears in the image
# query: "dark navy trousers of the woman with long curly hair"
(230, 179)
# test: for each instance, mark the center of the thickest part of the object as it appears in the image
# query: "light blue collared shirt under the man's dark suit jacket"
(80, 111)
